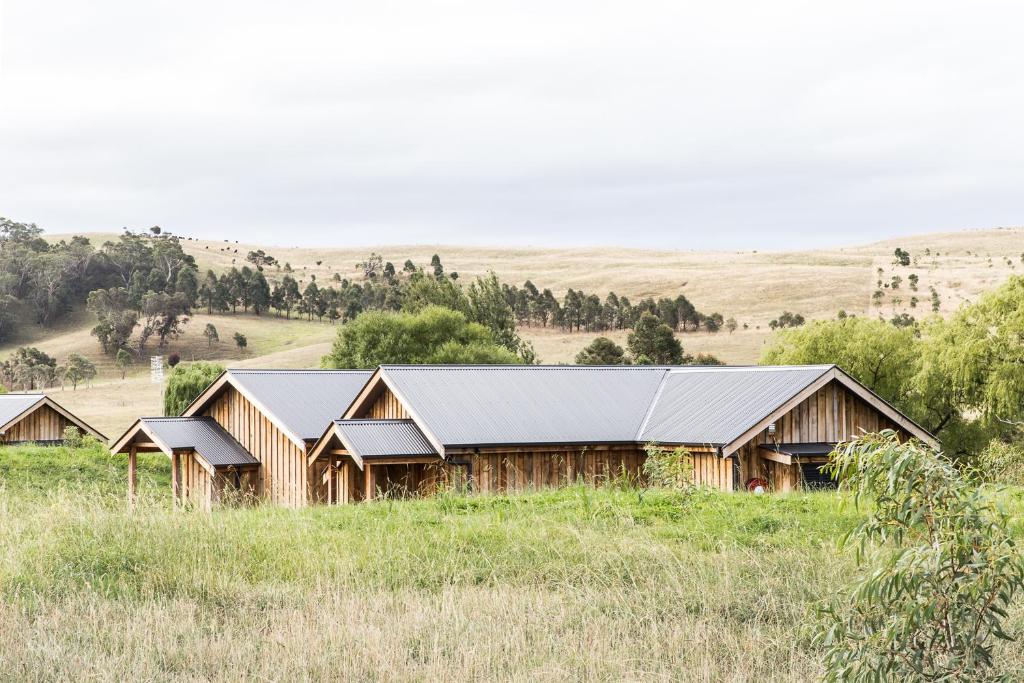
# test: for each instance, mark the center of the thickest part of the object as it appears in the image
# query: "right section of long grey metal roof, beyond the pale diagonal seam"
(716, 406)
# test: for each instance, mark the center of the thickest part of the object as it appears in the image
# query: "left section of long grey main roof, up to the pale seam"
(506, 405)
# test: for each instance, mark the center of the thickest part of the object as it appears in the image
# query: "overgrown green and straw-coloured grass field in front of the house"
(574, 584)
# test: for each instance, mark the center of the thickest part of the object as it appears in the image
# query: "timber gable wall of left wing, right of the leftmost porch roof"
(284, 471)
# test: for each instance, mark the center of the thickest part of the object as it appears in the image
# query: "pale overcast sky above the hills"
(727, 125)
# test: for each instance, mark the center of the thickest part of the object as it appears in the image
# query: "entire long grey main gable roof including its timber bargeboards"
(495, 406)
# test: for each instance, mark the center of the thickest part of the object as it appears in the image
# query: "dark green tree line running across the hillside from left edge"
(143, 288)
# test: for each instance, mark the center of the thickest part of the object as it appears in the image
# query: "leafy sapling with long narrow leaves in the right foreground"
(940, 570)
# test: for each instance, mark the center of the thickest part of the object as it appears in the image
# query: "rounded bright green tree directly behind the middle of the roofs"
(433, 335)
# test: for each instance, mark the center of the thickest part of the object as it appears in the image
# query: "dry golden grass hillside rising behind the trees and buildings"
(753, 287)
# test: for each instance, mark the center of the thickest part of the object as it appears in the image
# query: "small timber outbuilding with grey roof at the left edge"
(36, 418)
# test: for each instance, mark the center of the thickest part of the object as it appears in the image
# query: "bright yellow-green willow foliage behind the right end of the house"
(960, 378)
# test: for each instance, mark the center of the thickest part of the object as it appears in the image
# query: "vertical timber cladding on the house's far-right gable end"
(833, 414)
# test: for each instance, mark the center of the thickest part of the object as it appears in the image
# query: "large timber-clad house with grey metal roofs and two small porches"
(300, 438)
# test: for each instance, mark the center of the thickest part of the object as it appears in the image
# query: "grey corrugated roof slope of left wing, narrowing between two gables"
(305, 402)
